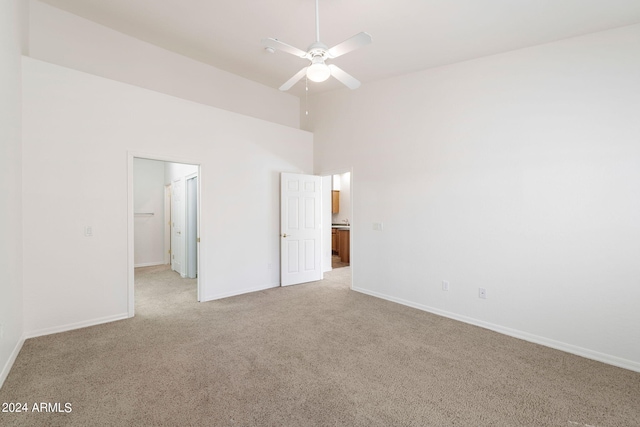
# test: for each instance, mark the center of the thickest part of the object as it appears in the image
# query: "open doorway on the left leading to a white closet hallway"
(164, 221)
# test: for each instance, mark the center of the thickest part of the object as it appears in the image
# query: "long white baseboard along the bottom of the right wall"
(547, 342)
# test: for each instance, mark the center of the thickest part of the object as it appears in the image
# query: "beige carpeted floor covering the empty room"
(317, 354)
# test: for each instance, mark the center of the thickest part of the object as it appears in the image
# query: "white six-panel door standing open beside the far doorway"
(300, 228)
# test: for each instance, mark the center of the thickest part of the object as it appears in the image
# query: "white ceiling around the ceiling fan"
(408, 35)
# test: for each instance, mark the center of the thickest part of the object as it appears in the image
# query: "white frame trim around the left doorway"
(130, 221)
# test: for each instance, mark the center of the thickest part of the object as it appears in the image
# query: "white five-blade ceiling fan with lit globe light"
(318, 53)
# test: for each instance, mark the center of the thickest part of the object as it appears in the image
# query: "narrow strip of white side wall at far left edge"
(11, 325)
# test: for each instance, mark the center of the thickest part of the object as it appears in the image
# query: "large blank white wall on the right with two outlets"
(519, 173)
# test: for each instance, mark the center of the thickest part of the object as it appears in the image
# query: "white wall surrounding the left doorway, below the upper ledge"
(78, 133)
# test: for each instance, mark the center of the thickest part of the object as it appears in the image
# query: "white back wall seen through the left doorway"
(148, 198)
